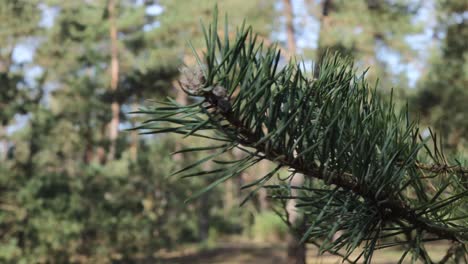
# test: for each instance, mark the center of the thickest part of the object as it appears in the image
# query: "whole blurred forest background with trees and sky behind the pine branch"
(75, 186)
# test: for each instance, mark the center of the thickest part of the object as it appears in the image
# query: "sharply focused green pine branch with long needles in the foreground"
(364, 161)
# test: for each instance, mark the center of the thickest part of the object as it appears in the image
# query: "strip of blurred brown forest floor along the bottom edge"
(255, 253)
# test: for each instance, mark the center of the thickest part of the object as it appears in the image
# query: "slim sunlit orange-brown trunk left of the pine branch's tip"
(114, 71)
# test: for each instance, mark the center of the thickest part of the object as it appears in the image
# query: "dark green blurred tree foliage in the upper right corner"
(442, 93)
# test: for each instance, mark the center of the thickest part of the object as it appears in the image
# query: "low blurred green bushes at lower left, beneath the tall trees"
(96, 212)
